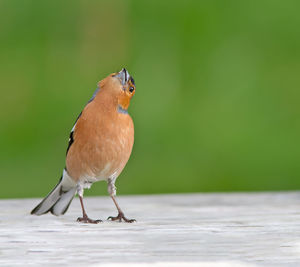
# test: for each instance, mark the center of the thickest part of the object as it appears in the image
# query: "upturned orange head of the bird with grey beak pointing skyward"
(121, 86)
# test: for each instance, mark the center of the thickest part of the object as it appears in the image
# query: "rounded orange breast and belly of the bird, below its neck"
(103, 140)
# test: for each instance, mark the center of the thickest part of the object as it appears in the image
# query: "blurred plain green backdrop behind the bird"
(217, 100)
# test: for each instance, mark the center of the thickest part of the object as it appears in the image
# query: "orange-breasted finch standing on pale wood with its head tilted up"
(99, 147)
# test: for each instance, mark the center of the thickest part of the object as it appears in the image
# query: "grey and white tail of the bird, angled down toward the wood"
(59, 199)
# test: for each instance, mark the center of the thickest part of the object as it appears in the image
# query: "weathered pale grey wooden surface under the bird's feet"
(196, 229)
